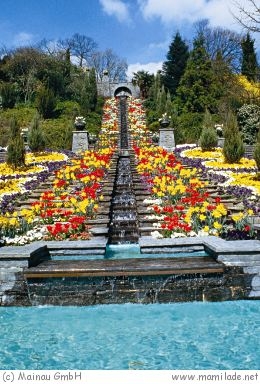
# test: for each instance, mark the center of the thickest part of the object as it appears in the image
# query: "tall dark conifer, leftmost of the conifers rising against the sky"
(174, 67)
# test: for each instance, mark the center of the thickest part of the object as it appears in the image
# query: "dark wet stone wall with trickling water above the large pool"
(232, 285)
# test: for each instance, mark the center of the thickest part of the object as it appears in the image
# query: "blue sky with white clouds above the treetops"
(139, 31)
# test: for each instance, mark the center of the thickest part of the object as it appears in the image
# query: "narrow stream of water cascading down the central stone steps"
(123, 226)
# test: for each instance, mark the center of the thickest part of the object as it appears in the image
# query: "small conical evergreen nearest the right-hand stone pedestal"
(208, 138)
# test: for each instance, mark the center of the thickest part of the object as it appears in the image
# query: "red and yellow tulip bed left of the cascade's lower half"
(61, 212)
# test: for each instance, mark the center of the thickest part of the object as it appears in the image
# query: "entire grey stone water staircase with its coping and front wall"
(79, 273)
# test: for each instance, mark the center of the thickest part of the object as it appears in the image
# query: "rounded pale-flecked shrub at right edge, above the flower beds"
(249, 122)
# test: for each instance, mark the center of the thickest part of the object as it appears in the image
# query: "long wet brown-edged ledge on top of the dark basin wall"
(126, 267)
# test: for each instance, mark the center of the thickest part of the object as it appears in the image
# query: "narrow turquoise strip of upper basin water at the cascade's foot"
(126, 251)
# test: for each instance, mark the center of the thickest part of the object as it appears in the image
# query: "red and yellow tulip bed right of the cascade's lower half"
(184, 207)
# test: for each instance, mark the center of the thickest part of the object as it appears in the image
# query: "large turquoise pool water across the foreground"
(132, 336)
